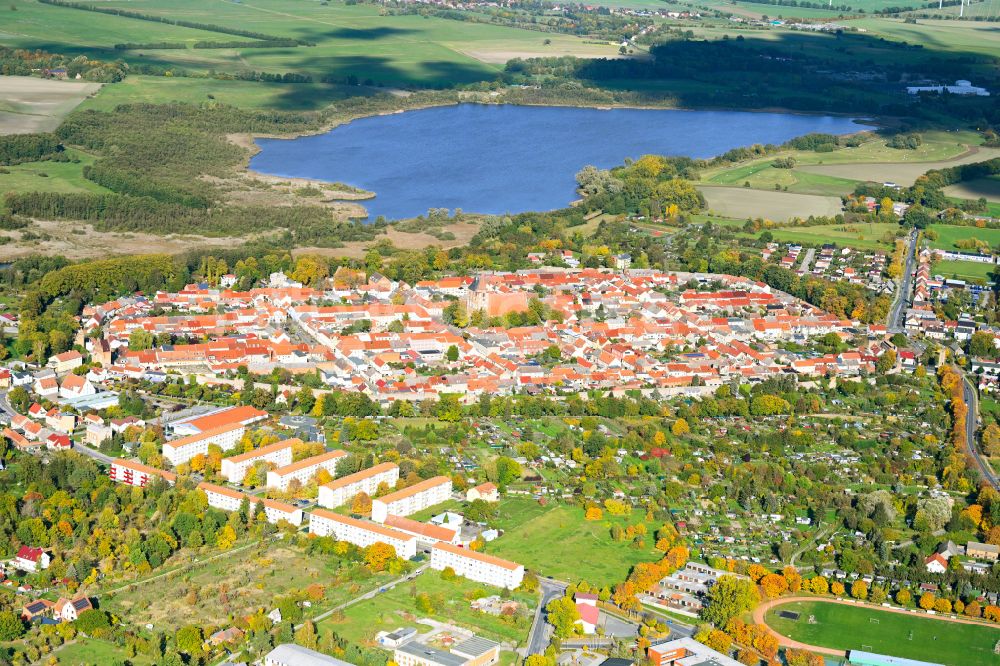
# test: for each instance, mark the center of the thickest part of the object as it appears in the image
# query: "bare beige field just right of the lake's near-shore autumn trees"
(740, 202)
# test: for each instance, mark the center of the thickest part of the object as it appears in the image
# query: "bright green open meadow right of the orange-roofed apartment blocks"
(556, 541)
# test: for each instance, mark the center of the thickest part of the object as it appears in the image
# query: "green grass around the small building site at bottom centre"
(396, 607)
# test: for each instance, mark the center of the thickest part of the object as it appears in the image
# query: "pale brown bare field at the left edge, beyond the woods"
(28, 104)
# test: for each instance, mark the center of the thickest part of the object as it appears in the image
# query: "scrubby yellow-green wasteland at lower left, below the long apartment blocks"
(232, 585)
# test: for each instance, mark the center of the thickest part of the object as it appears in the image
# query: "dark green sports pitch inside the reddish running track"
(910, 636)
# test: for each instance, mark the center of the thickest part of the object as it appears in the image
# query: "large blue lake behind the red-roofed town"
(500, 159)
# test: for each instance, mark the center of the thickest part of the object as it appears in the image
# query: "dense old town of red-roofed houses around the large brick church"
(656, 332)
